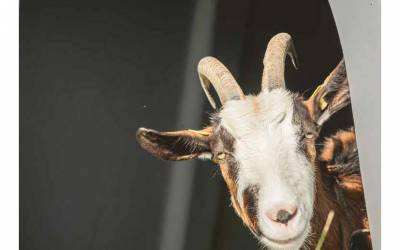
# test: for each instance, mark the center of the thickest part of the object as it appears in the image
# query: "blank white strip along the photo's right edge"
(390, 124)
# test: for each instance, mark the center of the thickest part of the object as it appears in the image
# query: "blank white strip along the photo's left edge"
(9, 124)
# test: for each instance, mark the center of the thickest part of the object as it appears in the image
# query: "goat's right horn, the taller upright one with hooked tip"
(274, 61)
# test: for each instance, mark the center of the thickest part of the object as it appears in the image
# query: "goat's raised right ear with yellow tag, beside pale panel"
(331, 96)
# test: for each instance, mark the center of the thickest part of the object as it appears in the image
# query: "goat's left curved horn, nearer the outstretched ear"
(213, 71)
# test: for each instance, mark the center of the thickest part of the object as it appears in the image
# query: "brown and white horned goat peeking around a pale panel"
(265, 146)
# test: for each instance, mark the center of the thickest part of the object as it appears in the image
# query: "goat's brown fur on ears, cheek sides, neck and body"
(338, 184)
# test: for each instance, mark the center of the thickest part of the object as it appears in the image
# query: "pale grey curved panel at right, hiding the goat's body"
(359, 28)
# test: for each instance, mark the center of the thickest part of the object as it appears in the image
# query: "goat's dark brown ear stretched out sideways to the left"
(176, 145)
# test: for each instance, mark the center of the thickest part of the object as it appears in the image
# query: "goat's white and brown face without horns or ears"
(259, 144)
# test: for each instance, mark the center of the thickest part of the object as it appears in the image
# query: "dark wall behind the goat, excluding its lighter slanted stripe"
(92, 72)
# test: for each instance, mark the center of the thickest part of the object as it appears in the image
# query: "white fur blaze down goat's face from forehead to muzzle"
(267, 153)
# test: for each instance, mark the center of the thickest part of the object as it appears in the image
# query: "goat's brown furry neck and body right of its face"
(349, 207)
